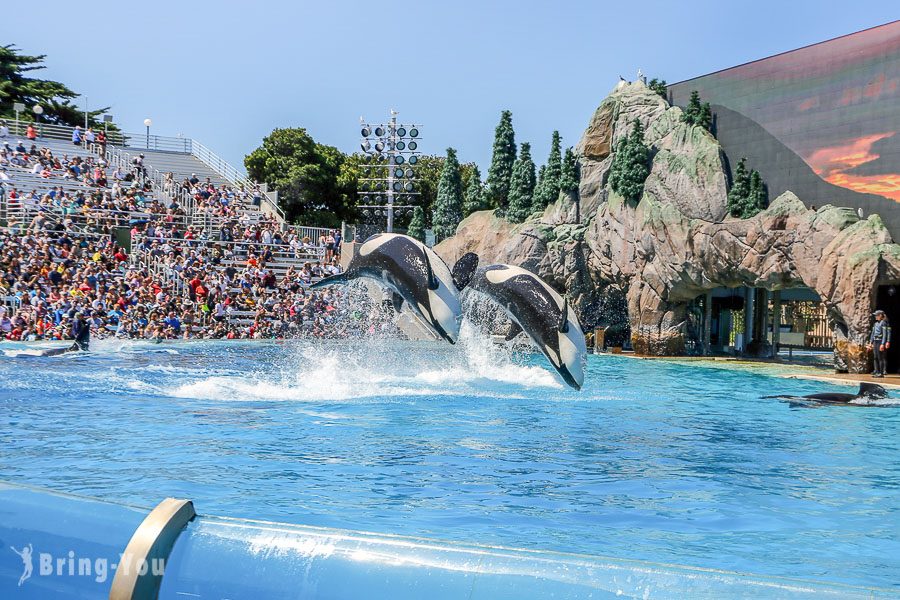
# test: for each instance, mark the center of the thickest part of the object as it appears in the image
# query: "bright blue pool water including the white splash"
(657, 461)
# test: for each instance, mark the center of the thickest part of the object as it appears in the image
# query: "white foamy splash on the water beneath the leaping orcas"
(371, 369)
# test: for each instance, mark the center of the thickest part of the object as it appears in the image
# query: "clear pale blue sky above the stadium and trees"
(228, 72)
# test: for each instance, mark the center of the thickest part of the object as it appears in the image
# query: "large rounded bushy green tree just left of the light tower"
(316, 183)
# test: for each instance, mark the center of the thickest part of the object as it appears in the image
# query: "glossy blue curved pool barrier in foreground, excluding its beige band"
(231, 558)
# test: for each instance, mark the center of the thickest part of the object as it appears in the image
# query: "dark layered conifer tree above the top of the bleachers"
(54, 97)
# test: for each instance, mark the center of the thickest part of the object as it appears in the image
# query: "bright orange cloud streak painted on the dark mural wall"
(835, 164)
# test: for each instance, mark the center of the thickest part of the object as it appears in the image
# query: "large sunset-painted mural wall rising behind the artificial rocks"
(822, 121)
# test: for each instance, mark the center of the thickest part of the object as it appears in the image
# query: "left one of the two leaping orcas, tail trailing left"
(414, 273)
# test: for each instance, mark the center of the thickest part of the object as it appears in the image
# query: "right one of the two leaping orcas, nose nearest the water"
(535, 308)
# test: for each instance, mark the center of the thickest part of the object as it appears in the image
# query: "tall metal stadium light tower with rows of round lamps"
(389, 173)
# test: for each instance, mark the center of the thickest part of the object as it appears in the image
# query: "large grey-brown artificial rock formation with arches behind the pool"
(678, 242)
